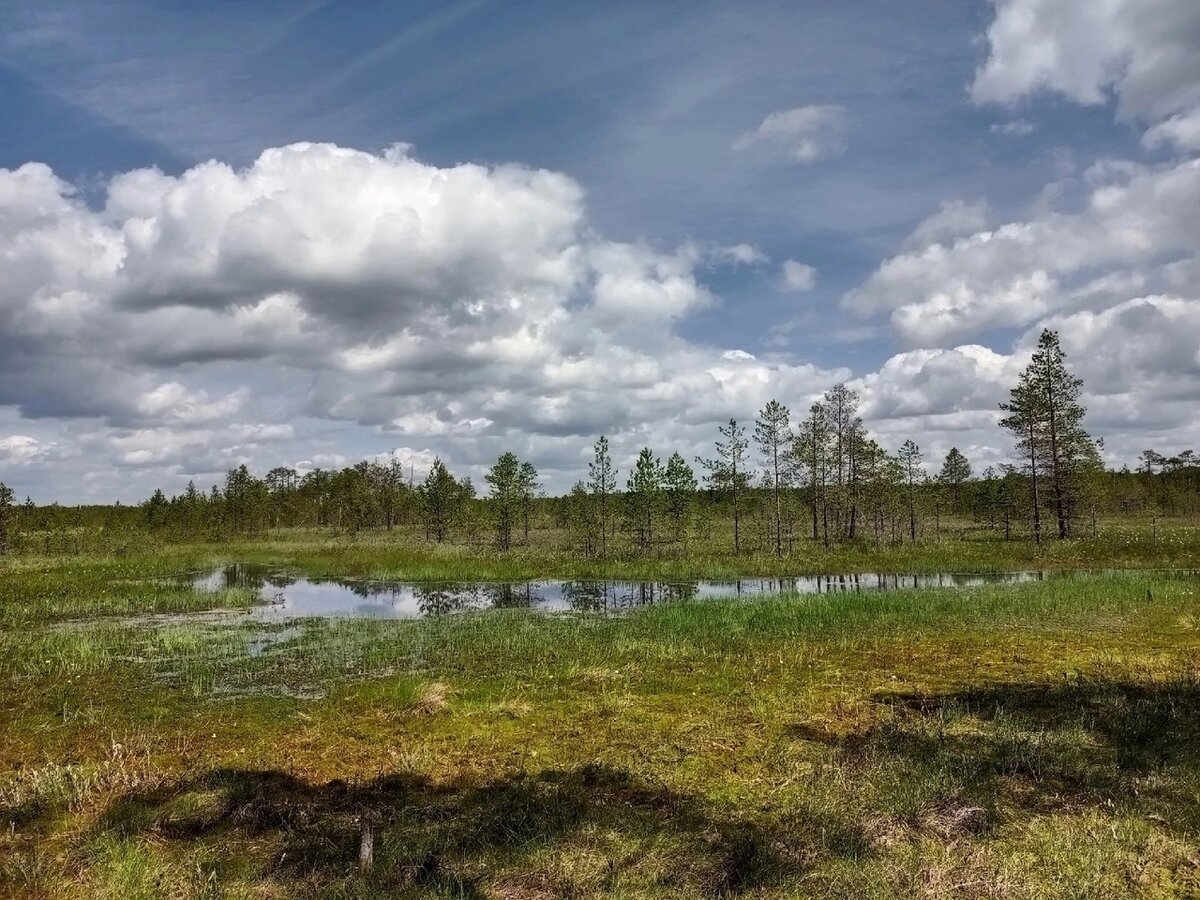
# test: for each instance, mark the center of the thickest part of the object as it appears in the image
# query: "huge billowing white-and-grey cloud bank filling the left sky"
(195, 322)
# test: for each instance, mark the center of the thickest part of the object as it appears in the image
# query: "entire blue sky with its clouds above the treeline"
(310, 233)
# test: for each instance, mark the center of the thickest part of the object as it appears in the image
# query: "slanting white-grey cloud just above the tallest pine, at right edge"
(1137, 224)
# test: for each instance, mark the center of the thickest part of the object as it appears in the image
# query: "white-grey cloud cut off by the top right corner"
(1142, 52)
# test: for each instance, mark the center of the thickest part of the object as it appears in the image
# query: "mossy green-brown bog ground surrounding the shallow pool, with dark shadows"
(1013, 741)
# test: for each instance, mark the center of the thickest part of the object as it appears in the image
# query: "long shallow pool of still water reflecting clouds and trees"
(289, 596)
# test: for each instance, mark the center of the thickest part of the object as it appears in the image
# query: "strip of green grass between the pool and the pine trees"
(63, 584)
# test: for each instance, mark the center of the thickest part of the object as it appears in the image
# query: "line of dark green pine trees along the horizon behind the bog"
(772, 484)
